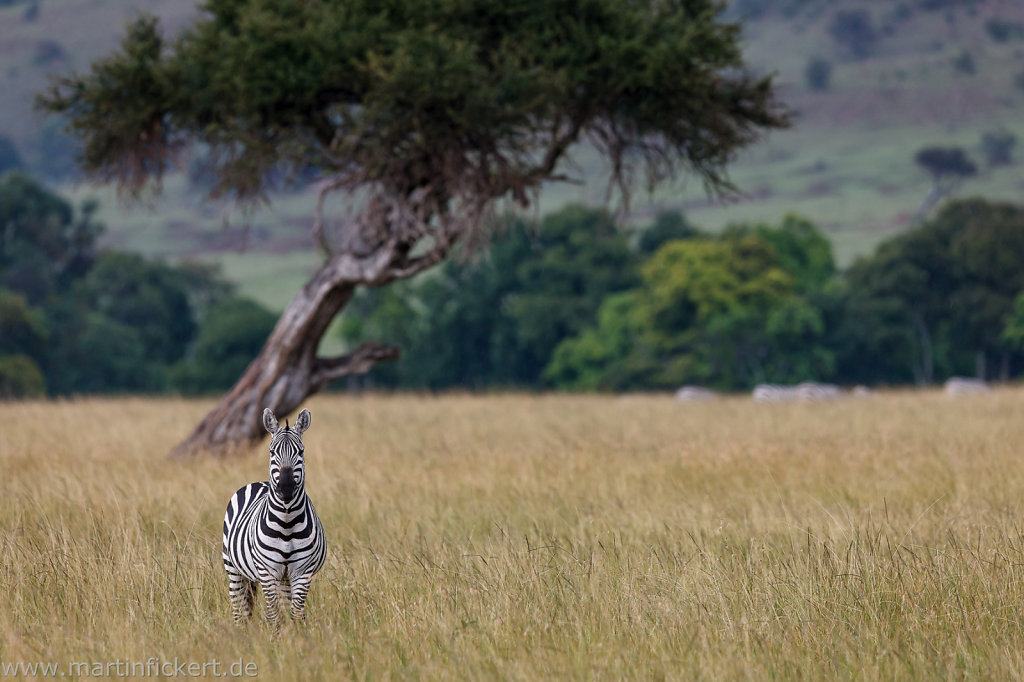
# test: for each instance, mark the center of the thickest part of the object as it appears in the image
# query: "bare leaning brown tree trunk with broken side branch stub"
(288, 370)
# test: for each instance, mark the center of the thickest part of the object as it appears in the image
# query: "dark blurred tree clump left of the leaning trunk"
(75, 319)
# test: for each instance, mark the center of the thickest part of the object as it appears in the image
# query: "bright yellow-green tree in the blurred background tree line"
(728, 313)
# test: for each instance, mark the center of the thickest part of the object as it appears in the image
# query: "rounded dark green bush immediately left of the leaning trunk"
(230, 338)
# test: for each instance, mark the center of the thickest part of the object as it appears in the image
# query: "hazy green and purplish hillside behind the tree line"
(926, 73)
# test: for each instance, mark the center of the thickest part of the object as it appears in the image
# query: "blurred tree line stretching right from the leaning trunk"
(575, 303)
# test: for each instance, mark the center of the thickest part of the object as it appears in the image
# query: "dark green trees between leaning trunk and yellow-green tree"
(497, 321)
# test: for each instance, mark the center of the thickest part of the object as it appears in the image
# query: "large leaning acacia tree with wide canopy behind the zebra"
(423, 114)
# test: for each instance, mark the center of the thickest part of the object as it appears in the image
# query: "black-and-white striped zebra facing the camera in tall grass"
(273, 537)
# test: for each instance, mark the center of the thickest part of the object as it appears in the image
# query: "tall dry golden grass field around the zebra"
(539, 538)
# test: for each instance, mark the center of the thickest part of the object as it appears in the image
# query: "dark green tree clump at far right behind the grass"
(934, 302)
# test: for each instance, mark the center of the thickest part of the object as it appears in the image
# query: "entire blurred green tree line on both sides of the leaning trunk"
(571, 302)
